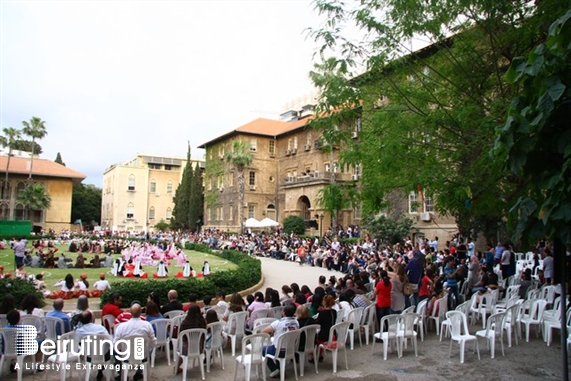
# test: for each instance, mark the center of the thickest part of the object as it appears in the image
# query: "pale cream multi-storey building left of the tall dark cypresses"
(139, 193)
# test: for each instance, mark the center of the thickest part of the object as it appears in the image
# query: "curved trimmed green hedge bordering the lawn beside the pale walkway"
(247, 274)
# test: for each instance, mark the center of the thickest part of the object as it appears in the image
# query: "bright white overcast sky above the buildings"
(116, 78)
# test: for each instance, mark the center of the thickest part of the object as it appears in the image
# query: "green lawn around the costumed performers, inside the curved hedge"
(51, 276)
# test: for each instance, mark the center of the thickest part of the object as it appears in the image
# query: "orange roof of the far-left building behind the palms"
(41, 167)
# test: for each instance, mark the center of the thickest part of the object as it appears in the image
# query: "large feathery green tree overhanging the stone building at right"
(429, 116)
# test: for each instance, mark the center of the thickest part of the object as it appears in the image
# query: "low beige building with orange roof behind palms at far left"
(58, 181)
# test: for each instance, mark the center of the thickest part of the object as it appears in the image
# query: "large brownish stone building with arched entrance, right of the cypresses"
(288, 170)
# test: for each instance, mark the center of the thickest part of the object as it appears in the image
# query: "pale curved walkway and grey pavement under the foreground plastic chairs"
(525, 362)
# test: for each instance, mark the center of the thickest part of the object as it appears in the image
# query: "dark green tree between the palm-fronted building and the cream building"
(86, 204)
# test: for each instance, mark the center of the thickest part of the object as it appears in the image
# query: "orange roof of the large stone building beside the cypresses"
(260, 126)
